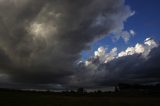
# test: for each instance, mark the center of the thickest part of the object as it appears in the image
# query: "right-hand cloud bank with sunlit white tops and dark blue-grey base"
(138, 64)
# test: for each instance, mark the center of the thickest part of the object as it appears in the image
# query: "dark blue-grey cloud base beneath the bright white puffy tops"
(133, 69)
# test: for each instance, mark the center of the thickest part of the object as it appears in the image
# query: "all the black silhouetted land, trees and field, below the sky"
(125, 95)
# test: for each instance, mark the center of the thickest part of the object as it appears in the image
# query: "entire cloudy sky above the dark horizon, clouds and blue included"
(66, 44)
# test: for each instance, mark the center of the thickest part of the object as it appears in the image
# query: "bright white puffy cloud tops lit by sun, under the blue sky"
(105, 57)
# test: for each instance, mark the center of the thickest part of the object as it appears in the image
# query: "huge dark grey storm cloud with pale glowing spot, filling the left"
(40, 40)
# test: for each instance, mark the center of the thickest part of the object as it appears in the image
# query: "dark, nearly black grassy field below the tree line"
(50, 99)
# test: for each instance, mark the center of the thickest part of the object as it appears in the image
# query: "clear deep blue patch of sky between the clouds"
(145, 22)
